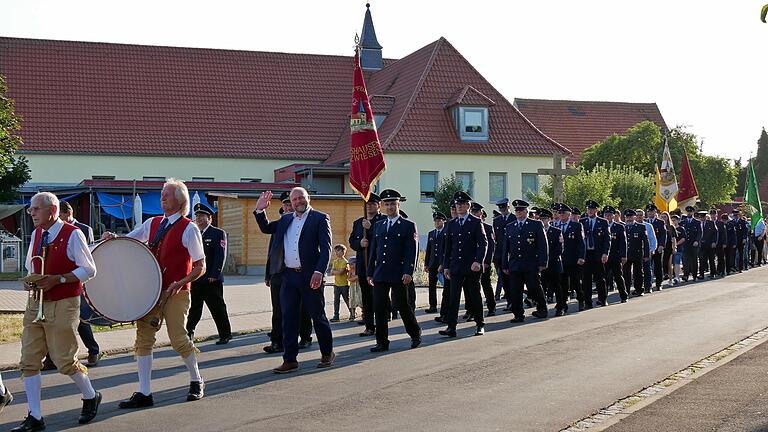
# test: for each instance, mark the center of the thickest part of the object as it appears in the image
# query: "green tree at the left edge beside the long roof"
(14, 171)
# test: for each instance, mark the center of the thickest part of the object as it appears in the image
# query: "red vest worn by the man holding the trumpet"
(57, 263)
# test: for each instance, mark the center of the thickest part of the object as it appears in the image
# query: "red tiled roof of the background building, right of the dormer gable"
(580, 124)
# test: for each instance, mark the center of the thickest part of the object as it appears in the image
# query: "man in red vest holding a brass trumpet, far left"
(68, 263)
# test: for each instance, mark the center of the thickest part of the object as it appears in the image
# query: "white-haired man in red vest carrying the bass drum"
(178, 247)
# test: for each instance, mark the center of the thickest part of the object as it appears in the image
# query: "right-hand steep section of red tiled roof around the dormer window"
(423, 83)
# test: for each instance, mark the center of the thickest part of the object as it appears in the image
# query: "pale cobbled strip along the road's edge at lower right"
(609, 416)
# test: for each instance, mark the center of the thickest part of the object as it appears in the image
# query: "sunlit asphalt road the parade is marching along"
(538, 376)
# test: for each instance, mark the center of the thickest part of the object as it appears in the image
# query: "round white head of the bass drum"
(128, 280)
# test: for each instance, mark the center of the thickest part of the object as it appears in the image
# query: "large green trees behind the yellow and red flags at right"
(642, 146)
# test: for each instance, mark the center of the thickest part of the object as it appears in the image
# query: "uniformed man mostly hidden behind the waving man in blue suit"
(274, 282)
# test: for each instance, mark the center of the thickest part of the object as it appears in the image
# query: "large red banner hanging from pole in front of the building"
(366, 158)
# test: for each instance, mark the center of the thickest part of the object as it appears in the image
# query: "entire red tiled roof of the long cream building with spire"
(100, 98)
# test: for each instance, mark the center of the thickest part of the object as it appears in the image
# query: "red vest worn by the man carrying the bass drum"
(173, 257)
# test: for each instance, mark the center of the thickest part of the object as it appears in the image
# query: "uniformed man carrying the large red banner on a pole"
(359, 240)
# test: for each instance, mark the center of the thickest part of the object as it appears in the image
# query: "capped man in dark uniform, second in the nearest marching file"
(465, 247)
